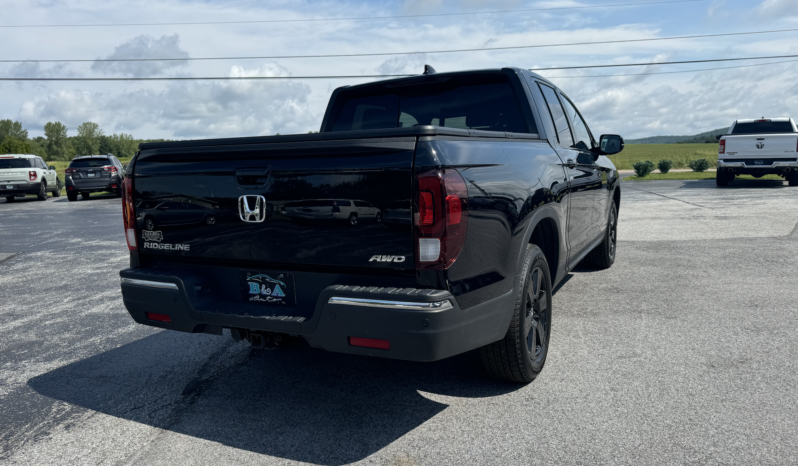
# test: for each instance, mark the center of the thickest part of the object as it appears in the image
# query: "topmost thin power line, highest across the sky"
(362, 18)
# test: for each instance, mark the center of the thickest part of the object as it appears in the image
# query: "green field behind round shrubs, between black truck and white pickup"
(679, 154)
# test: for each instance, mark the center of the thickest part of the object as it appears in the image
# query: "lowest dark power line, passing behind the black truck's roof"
(245, 78)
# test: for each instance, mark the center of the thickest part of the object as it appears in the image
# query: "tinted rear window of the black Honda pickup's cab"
(488, 105)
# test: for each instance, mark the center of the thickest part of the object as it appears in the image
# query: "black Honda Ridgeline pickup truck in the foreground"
(495, 189)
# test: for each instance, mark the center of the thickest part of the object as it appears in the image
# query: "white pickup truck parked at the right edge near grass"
(758, 148)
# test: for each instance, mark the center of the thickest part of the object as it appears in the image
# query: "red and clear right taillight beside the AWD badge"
(442, 219)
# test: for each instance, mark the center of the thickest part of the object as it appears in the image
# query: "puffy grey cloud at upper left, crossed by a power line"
(144, 46)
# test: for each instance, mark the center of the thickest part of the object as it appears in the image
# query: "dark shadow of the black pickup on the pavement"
(297, 403)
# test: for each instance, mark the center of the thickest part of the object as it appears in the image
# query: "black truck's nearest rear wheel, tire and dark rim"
(521, 354)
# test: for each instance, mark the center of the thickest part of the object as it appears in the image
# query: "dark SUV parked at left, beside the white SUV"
(93, 174)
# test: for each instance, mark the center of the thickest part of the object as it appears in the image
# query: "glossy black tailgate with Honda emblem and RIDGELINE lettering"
(277, 204)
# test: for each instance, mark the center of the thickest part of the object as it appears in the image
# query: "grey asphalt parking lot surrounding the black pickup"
(683, 352)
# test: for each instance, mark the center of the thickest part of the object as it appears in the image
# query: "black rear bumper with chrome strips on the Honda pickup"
(420, 325)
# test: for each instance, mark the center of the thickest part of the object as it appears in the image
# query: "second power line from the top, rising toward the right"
(487, 49)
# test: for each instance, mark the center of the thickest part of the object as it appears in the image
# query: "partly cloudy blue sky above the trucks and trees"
(633, 106)
